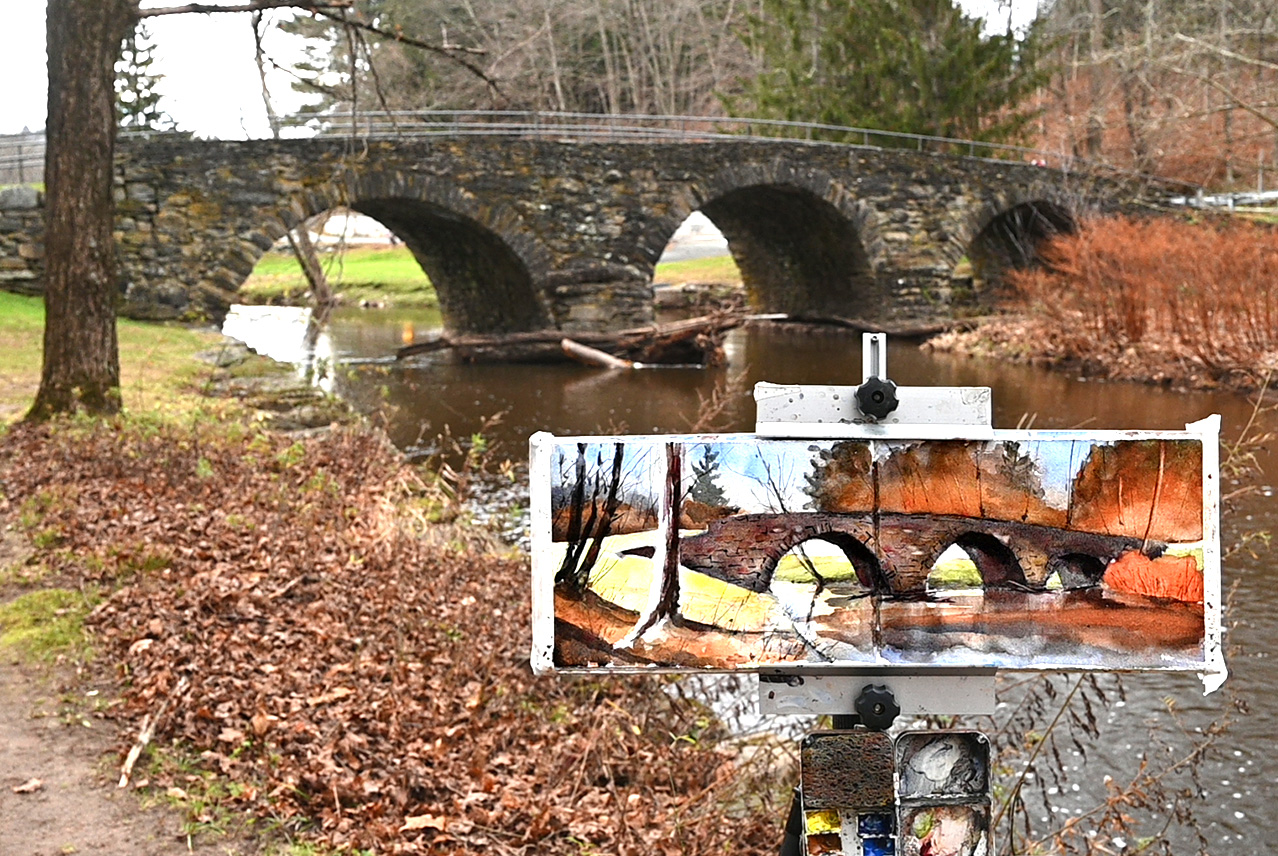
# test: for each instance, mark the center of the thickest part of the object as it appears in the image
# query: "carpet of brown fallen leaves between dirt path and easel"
(356, 684)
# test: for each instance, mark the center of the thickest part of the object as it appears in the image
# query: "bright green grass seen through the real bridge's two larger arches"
(392, 275)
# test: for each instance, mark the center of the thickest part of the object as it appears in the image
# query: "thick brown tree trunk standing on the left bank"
(82, 358)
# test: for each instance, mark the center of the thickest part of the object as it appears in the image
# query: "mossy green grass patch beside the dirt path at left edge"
(42, 625)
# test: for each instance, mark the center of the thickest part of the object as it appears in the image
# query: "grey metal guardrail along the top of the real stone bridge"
(620, 127)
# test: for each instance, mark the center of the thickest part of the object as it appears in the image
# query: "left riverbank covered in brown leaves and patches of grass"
(332, 653)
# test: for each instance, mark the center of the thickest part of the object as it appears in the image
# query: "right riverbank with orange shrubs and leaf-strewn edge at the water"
(1167, 302)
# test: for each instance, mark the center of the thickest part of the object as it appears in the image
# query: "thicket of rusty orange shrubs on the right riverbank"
(1164, 289)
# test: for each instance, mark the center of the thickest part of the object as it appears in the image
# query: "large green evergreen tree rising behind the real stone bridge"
(918, 67)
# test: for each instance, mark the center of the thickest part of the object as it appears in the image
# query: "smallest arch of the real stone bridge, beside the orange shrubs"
(1009, 234)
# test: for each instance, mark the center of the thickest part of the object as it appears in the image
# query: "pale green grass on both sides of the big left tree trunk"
(157, 367)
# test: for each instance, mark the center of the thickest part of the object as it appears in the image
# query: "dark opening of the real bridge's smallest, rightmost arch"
(1013, 241)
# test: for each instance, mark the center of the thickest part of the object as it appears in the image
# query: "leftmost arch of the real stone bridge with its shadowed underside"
(481, 259)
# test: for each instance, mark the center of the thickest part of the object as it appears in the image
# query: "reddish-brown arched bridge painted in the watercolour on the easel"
(897, 553)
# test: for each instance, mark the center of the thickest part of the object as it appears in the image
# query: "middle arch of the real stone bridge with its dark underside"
(796, 234)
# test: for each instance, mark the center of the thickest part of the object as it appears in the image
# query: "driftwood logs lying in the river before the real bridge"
(693, 342)
